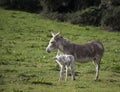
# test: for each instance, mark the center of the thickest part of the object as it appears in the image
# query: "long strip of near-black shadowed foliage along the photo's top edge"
(61, 6)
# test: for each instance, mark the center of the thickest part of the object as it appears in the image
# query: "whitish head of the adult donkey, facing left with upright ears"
(54, 42)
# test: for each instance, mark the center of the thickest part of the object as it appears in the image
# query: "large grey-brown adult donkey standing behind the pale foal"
(82, 52)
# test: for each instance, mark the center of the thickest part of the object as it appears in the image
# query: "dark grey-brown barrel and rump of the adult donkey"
(87, 52)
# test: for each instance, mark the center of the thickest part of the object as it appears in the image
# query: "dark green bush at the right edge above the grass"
(111, 18)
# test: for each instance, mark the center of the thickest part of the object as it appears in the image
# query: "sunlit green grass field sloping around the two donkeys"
(26, 67)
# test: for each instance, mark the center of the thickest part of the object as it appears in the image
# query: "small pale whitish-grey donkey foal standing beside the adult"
(65, 61)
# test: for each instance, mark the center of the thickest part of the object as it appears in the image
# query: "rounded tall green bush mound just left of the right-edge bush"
(89, 16)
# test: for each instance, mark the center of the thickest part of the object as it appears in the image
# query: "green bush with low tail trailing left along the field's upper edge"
(89, 16)
